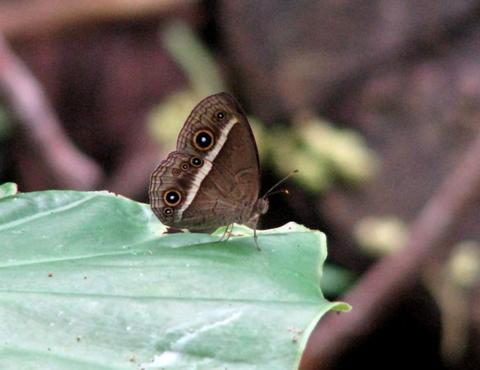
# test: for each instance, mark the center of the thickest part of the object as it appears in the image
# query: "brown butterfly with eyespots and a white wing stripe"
(212, 179)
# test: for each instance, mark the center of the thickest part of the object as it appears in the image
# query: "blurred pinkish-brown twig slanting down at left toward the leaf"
(24, 96)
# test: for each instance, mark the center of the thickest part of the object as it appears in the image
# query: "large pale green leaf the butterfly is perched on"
(88, 281)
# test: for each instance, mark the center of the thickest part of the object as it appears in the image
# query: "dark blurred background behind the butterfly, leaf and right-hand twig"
(374, 102)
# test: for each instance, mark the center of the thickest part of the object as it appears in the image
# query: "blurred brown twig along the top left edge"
(29, 18)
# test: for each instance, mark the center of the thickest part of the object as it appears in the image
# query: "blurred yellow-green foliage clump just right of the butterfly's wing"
(323, 153)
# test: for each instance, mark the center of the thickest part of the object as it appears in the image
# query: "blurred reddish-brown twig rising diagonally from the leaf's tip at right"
(375, 294)
